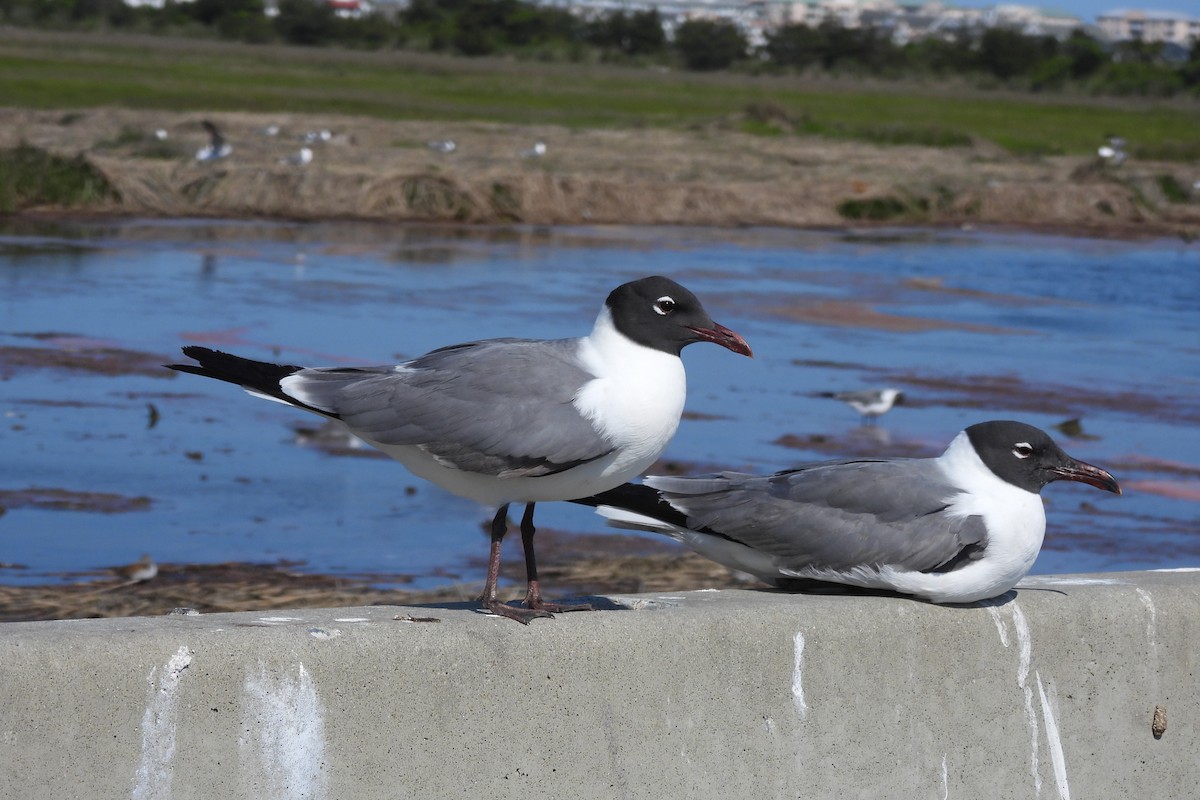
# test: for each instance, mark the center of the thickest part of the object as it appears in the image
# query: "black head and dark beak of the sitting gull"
(1029, 459)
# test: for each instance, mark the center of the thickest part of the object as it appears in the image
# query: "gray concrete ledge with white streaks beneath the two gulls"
(1049, 693)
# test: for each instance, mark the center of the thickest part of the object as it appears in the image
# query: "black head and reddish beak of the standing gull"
(659, 314)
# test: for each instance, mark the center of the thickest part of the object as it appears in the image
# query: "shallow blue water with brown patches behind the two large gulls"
(971, 326)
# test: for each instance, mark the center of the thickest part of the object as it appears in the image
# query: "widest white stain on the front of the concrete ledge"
(283, 748)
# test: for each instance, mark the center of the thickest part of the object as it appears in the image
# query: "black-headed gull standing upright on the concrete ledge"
(511, 420)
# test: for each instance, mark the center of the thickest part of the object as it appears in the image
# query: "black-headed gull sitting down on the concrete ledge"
(955, 530)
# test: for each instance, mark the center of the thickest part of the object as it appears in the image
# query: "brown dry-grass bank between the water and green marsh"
(375, 170)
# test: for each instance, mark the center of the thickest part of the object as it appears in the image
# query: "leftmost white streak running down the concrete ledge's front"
(155, 771)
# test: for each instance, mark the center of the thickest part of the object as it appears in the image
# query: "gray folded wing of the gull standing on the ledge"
(499, 407)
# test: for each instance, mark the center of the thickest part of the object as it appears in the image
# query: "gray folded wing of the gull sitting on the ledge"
(835, 515)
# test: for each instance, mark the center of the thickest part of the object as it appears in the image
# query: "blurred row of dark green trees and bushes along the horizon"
(994, 58)
